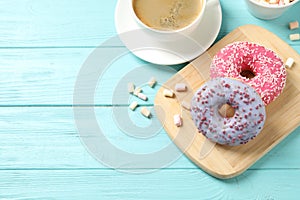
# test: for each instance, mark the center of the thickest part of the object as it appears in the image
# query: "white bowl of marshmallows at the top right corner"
(267, 11)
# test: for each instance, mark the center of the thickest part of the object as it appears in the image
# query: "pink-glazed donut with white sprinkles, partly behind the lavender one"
(253, 64)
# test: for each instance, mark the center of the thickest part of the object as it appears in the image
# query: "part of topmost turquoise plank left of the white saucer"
(56, 23)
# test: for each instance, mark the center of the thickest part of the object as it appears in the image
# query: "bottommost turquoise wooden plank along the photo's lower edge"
(163, 184)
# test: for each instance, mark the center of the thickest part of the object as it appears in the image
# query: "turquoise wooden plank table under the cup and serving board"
(43, 46)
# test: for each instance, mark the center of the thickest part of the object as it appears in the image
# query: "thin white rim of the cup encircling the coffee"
(196, 20)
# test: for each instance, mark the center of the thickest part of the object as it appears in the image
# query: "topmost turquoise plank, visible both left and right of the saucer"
(60, 23)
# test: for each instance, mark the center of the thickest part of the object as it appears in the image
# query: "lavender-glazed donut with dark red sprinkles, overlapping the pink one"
(247, 120)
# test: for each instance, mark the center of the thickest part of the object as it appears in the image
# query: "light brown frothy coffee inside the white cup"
(167, 14)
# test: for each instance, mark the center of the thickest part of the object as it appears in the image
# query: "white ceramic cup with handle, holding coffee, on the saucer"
(176, 33)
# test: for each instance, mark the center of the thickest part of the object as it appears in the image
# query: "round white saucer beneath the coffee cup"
(151, 49)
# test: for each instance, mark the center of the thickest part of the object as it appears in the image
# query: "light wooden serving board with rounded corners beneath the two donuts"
(283, 115)
